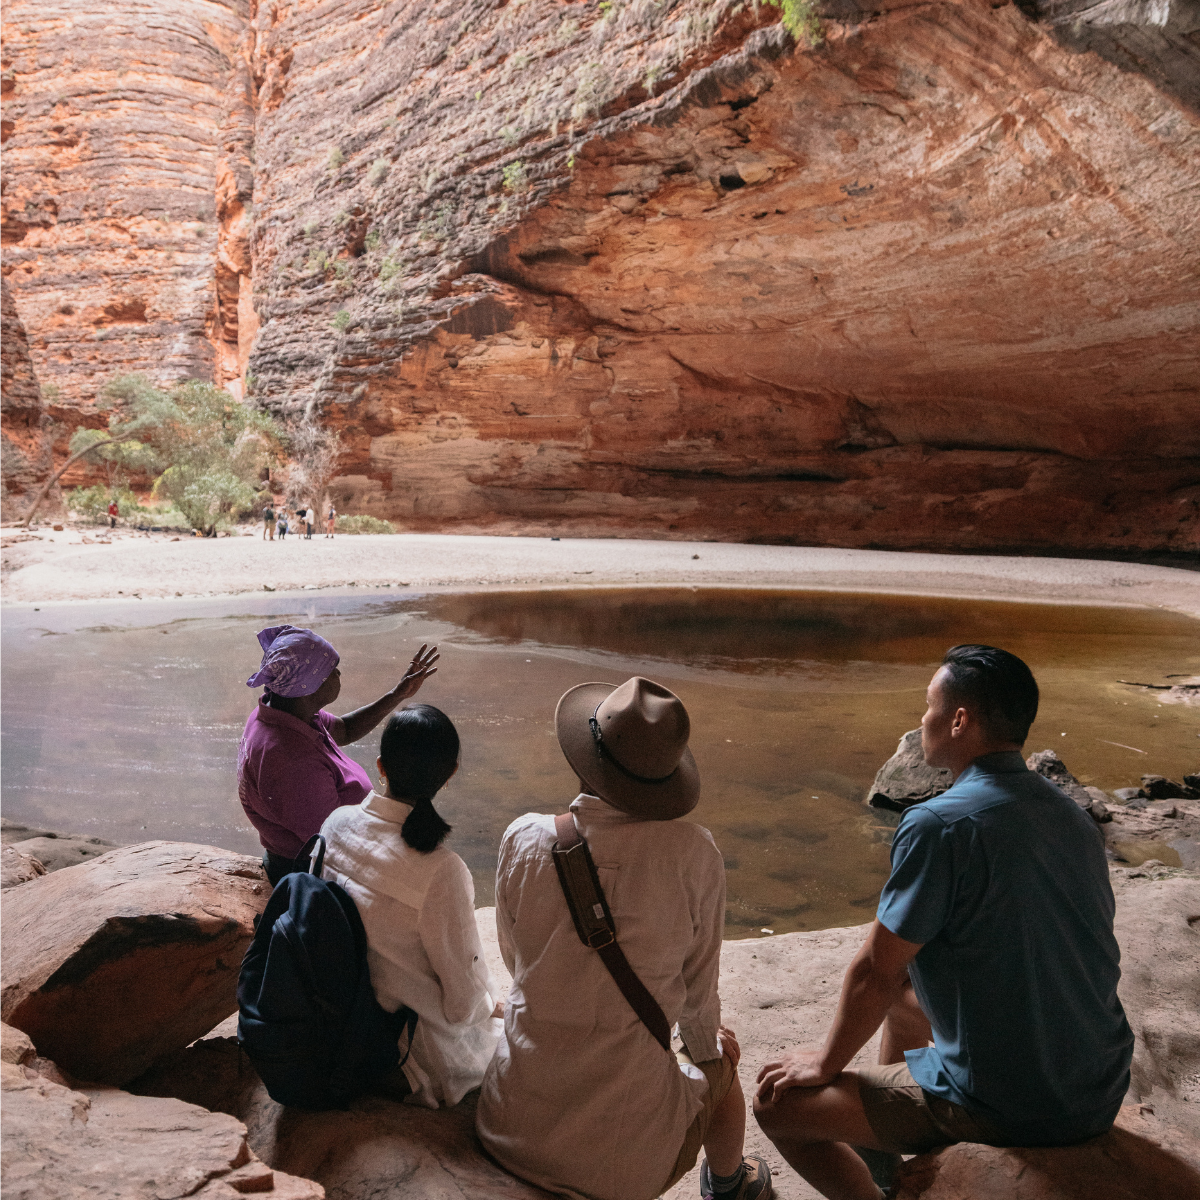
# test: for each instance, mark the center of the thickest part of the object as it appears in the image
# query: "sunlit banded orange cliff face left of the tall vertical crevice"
(117, 128)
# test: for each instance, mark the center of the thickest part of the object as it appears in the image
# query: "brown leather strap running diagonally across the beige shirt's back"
(595, 925)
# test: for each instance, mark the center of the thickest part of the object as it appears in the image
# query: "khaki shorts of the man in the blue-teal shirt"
(908, 1120)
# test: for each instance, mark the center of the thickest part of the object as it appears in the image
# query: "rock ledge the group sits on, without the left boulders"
(777, 993)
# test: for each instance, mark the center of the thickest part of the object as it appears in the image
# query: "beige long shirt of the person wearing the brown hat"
(580, 1099)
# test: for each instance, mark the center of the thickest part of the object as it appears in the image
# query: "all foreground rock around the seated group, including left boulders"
(200, 1123)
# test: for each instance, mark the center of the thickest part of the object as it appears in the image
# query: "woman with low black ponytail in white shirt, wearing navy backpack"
(418, 905)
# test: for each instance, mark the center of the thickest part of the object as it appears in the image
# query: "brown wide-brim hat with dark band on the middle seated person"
(629, 743)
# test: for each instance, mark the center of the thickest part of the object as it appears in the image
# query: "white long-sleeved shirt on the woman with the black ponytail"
(423, 944)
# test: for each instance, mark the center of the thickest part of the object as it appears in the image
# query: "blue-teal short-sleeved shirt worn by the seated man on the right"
(1004, 883)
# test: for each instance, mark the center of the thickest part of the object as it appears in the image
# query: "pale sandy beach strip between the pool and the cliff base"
(82, 565)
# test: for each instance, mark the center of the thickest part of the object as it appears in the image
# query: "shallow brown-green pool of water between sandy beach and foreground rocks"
(123, 719)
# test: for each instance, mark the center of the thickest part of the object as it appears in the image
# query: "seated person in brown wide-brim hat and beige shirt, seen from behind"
(585, 1096)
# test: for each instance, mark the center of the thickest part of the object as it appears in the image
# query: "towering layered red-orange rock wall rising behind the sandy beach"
(645, 267)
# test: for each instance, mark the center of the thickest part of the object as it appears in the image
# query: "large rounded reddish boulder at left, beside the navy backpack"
(111, 964)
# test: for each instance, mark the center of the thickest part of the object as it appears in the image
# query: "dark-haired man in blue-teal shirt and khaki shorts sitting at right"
(994, 940)
